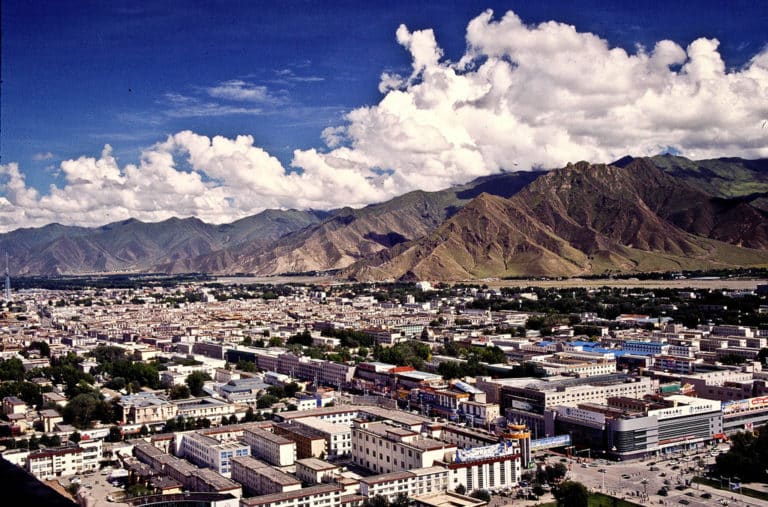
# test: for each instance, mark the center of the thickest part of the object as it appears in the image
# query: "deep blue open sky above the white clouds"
(77, 75)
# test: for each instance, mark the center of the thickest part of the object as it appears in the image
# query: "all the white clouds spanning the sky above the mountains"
(521, 96)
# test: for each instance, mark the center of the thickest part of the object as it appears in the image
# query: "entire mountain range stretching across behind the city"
(633, 215)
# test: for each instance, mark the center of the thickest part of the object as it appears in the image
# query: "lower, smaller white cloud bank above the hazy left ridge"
(216, 179)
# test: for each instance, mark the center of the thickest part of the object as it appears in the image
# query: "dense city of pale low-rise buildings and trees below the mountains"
(331, 394)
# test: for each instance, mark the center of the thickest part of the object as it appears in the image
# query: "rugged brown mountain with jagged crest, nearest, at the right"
(583, 219)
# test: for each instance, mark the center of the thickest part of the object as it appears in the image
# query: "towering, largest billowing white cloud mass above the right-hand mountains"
(543, 95)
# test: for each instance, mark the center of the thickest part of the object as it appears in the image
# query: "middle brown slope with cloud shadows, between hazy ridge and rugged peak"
(350, 235)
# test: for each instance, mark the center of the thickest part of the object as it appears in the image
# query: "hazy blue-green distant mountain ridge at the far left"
(132, 245)
